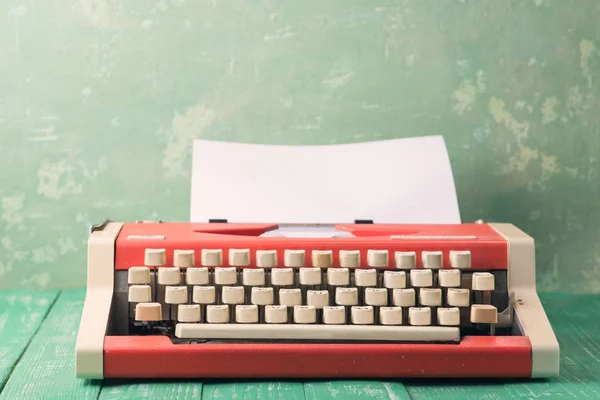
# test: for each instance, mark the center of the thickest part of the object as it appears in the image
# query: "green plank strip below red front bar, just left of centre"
(246, 390)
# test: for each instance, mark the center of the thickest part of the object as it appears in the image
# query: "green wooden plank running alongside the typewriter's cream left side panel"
(47, 368)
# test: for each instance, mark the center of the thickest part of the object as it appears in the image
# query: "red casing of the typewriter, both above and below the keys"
(158, 357)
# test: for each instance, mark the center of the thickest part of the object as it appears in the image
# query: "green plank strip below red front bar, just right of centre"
(359, 390)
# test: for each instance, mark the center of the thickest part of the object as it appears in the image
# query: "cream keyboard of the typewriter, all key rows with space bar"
(389, 299)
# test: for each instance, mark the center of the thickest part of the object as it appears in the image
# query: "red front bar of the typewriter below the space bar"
(474, 357)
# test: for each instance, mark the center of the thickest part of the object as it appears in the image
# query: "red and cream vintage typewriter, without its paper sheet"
(361, 300)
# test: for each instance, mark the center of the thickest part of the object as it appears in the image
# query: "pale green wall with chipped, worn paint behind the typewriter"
(99, 103)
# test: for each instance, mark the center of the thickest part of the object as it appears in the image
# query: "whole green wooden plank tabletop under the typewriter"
(38, 332)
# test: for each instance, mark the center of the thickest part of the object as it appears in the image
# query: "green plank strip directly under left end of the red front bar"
(150, 389)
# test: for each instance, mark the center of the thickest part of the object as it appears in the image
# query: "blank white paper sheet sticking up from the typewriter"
(392, 181)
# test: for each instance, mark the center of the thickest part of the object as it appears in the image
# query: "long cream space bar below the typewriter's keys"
(317, 332)
